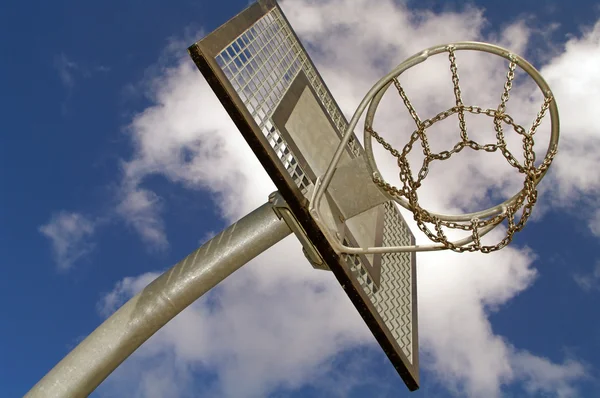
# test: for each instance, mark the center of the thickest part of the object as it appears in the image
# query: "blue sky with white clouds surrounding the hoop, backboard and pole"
(87, 201)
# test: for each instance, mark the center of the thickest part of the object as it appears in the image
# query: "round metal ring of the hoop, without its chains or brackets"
(376, 93)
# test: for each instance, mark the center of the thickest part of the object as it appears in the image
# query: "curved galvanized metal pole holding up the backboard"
(84, 368)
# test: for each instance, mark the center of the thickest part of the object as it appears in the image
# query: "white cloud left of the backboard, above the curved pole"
(189, 138)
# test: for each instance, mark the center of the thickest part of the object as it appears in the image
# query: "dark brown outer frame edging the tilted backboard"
(204, 55)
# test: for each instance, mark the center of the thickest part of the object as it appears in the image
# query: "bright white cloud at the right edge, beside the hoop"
(576, 84)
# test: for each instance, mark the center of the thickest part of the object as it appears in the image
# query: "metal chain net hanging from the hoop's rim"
(524, 200)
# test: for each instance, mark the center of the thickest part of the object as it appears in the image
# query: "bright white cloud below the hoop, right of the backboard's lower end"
(457, 292)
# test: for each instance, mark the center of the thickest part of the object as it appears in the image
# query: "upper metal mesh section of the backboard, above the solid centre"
(261, 64)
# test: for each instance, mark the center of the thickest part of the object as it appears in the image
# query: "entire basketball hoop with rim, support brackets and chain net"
(477, 223)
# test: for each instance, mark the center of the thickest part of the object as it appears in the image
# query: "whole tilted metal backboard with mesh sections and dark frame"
(266, 81)
